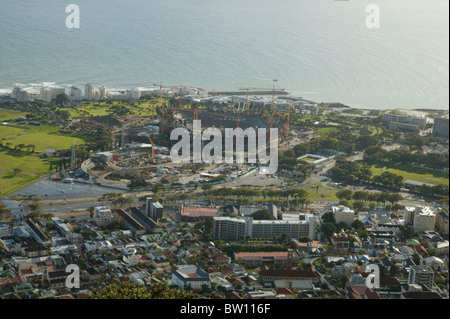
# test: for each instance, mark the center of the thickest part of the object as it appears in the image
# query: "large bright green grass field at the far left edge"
(31, 165)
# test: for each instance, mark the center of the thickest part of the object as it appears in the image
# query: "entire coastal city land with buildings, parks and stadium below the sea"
(92, 204)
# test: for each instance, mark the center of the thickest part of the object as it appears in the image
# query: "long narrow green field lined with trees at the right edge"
(414, 173)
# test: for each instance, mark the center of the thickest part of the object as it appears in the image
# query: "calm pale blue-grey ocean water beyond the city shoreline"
(318, 49)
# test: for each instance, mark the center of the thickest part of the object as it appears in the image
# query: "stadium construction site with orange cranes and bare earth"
(142, 156)
